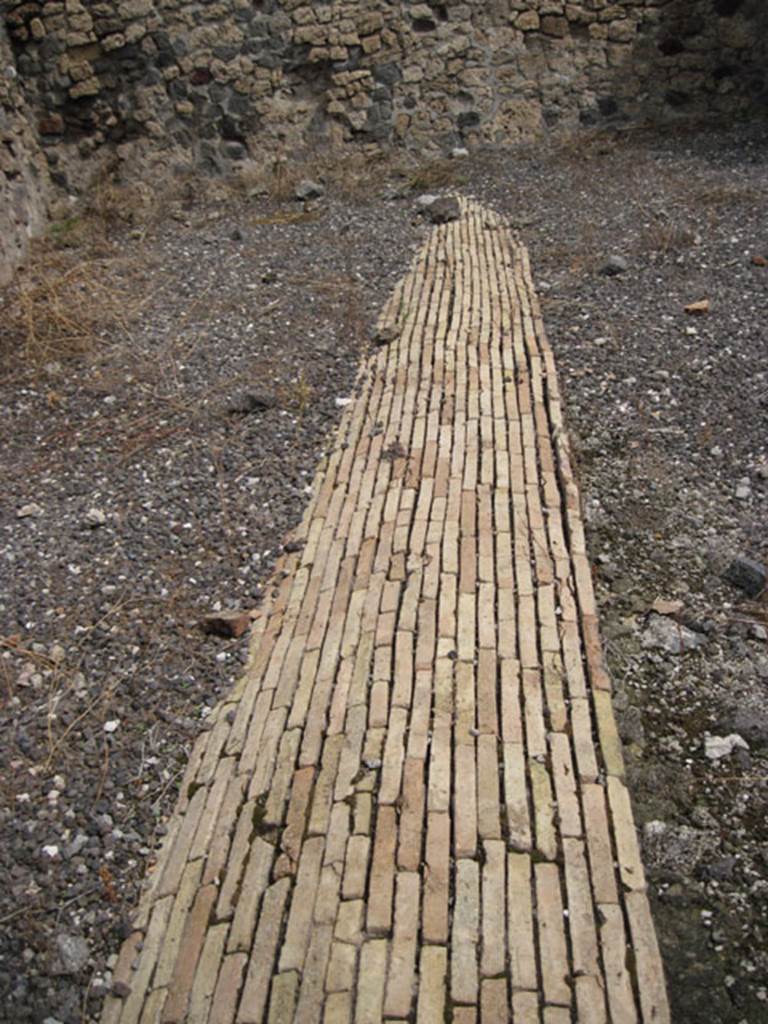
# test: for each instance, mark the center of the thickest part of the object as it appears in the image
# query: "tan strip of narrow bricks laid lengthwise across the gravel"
(413, 806)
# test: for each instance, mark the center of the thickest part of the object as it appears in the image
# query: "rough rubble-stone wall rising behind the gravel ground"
(229, 79)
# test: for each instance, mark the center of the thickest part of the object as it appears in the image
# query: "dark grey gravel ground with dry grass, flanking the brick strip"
(159, 476)
